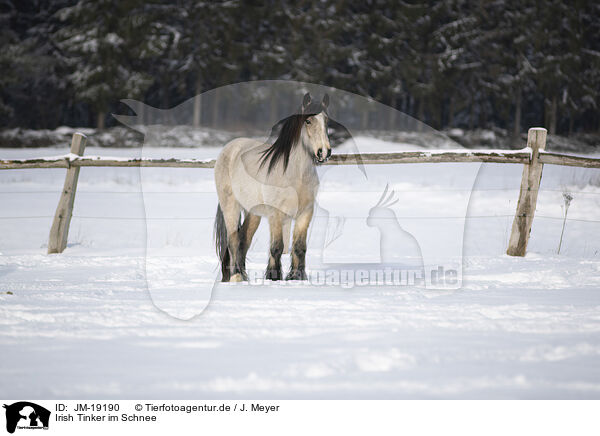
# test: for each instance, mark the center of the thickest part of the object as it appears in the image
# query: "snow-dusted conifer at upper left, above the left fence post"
(103, 42)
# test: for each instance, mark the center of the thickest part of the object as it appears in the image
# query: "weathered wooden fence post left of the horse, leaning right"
(59, 232)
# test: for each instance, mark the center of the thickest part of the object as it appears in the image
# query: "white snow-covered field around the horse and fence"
(114, 316)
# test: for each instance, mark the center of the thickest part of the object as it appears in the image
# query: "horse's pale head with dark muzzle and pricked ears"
(314, 128)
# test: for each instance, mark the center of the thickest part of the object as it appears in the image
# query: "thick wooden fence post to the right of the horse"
(530, 185)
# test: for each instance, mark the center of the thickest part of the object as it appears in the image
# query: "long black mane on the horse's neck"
(288, 133)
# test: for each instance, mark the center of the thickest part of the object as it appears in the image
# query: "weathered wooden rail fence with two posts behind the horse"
(533, 158)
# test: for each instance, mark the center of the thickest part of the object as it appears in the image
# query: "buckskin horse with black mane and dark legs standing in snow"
(277, 181)
